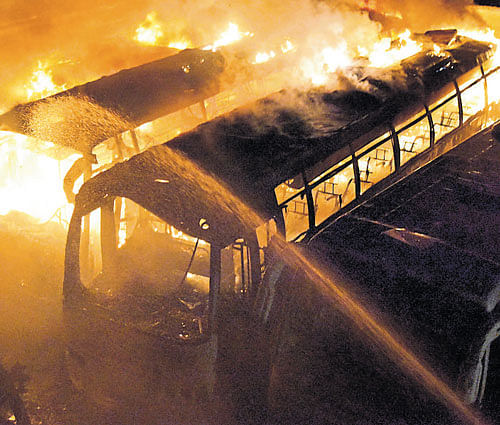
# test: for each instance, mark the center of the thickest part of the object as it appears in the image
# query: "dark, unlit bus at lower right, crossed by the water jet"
(425, 254)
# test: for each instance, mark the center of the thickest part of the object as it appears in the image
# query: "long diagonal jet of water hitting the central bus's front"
(329, 283)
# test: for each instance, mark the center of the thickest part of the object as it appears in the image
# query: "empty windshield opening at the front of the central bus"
(146, 272)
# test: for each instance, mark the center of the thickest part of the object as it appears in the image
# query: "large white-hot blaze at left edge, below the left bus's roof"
(31, 182)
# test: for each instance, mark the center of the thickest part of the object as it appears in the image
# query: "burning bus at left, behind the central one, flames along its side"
(90, 126)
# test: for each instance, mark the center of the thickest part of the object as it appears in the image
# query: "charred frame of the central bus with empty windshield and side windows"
(256, 166)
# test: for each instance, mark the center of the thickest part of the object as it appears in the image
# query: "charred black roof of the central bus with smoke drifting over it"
(255, 148)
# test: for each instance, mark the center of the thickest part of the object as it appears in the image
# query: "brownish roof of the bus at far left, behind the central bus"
(135, 96)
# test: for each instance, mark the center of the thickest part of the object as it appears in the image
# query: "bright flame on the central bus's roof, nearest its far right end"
(387, 52)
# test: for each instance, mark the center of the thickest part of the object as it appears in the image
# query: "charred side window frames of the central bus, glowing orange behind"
(442, 134)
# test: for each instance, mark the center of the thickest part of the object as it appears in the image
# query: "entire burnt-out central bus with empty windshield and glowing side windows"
(174, 305)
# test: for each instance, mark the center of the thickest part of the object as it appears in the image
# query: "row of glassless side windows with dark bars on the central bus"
(349, 179)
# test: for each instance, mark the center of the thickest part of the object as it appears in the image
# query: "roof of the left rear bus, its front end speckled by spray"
(83, 117)
